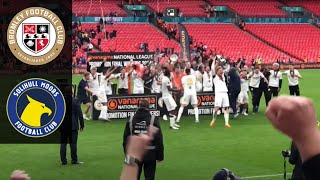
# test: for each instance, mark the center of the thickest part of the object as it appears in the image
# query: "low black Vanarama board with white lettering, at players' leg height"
(123, 106)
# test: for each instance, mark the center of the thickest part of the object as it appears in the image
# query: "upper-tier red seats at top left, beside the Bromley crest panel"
(95, 8)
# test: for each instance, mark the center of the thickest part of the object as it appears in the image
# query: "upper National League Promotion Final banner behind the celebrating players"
(106, 60)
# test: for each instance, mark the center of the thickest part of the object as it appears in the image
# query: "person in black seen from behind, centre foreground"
(139, 124)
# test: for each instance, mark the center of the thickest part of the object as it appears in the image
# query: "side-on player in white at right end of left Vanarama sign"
(168, 100)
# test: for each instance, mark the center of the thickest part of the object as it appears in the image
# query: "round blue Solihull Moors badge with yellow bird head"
(36, 107)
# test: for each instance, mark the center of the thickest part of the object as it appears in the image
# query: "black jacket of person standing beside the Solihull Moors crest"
(72, 119)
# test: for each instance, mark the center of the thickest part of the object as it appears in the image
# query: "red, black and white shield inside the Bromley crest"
(36, 37)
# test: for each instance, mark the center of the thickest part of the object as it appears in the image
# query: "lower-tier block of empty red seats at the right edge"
(301, 40)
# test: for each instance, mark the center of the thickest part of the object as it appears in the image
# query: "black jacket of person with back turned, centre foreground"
(140, 123)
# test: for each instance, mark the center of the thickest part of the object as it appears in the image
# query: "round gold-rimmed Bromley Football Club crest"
(36, 36)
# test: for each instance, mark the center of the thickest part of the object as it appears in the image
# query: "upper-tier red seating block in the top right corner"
(311, 5)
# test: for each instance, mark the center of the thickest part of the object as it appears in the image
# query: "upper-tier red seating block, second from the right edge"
(262, 8)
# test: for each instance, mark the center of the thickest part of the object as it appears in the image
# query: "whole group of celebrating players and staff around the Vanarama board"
(180, 81)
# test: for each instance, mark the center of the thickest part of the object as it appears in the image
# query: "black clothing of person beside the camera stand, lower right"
(295, 159)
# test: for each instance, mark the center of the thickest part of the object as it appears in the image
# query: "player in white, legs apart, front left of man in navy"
(221, 96)
